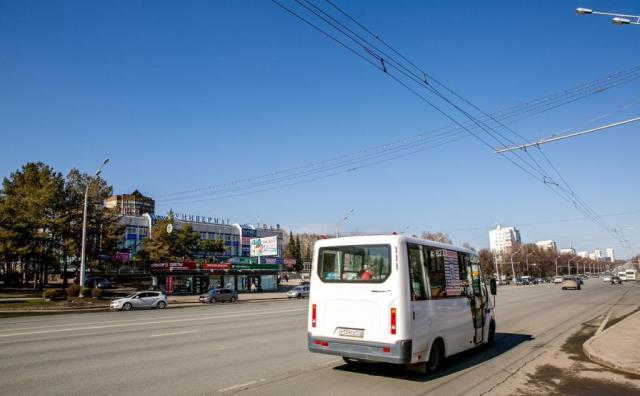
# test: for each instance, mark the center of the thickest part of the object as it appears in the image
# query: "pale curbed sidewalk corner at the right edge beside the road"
(618, 347)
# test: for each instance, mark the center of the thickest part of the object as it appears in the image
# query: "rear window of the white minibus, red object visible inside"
(358, 263)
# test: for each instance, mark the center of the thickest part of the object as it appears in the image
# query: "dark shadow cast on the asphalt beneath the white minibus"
(461, 361)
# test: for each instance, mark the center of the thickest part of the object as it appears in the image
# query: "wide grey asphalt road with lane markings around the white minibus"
(260, 348)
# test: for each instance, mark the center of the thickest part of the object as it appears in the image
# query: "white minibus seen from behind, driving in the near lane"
(397, 299)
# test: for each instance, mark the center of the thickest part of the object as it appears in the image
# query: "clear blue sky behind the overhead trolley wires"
(183, 95)
